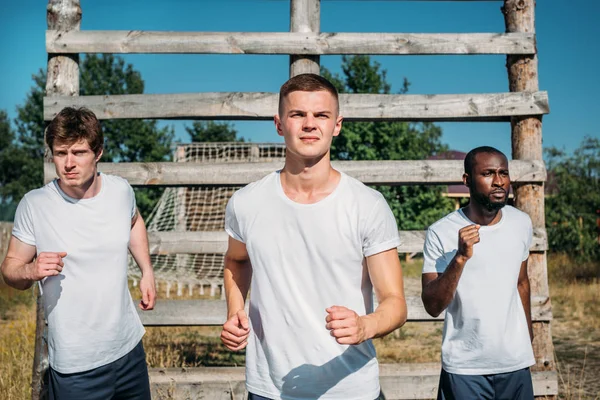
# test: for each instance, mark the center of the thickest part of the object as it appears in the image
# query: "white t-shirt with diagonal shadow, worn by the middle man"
(305, 258)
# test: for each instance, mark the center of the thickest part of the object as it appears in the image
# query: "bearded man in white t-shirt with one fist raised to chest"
(475, 268)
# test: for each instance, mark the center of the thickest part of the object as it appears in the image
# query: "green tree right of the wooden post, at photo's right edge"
(573, 200)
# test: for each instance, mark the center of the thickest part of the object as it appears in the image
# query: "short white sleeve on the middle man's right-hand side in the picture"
(381, 230)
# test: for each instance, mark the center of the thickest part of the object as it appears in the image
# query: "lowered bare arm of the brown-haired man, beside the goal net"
(140, 250)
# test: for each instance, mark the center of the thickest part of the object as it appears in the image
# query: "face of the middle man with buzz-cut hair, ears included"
(308, 122)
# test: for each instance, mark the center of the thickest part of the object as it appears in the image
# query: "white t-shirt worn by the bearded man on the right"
(485, 330)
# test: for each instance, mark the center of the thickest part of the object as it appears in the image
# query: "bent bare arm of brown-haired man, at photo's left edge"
(21, 268)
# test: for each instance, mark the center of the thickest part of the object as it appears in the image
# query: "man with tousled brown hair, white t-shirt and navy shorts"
(72, 236)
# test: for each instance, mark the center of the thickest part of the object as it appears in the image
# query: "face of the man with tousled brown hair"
(75, 163)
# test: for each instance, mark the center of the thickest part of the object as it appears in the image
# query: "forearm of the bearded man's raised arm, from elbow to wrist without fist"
(438, 293)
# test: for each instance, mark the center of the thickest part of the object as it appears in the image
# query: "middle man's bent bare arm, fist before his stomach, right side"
(386, 275)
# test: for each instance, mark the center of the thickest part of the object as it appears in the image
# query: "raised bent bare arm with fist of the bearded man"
(438, 289)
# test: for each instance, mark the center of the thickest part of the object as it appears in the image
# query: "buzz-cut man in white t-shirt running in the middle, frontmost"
(310, 243)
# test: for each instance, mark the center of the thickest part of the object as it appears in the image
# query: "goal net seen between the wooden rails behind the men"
(199, 208)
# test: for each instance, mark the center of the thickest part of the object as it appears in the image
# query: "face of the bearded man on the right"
(489, 182)
